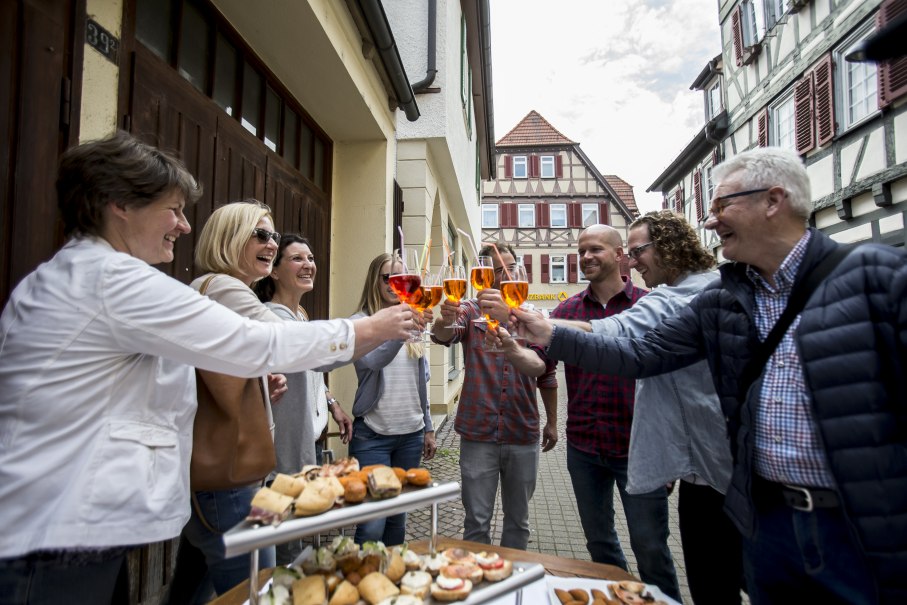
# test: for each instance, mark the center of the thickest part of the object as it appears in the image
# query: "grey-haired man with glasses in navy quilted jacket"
(819, 486)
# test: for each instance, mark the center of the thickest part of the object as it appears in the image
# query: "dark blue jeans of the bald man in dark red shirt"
(593, 478)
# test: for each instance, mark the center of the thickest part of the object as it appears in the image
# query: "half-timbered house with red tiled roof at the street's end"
(547, 190)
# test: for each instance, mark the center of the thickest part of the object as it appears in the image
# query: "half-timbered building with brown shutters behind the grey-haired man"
(782, 79)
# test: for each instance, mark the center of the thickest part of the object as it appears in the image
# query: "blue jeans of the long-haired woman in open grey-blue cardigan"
(404, 451)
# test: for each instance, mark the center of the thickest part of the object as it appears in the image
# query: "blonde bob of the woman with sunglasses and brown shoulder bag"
(225, 235)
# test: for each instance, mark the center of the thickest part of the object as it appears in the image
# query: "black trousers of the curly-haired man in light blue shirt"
(712, 550)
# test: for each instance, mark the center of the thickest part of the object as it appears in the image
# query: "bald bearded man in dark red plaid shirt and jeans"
(599, 416)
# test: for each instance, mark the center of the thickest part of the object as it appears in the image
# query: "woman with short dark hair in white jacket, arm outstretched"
(97, 388)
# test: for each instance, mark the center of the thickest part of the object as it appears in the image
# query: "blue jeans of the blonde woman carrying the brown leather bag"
(222, 510)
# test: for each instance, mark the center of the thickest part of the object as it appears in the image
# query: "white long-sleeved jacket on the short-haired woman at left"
(97, 395)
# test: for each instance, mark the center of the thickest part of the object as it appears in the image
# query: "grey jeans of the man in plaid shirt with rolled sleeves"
(481, 465)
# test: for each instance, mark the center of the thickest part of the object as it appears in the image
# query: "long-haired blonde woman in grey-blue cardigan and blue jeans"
(392, 423)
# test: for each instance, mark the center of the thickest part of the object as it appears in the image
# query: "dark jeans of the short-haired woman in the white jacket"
(30, 581)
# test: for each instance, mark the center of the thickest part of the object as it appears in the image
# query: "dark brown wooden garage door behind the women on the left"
(167, 111)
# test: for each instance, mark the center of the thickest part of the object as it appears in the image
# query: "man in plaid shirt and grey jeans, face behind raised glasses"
(498, 417)
